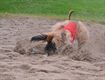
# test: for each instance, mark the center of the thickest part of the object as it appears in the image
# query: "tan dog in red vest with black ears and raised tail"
(64, 34)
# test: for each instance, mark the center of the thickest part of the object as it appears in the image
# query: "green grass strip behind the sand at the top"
(84, 9)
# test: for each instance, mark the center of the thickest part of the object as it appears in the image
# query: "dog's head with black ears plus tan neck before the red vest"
(54, 40)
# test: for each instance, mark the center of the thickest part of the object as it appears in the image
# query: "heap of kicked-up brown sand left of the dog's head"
(27, 47)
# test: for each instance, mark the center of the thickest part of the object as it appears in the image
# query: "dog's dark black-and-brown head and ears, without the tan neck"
(50, 46)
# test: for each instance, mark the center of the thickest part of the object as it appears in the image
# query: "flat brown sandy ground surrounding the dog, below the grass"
(14, 66)
